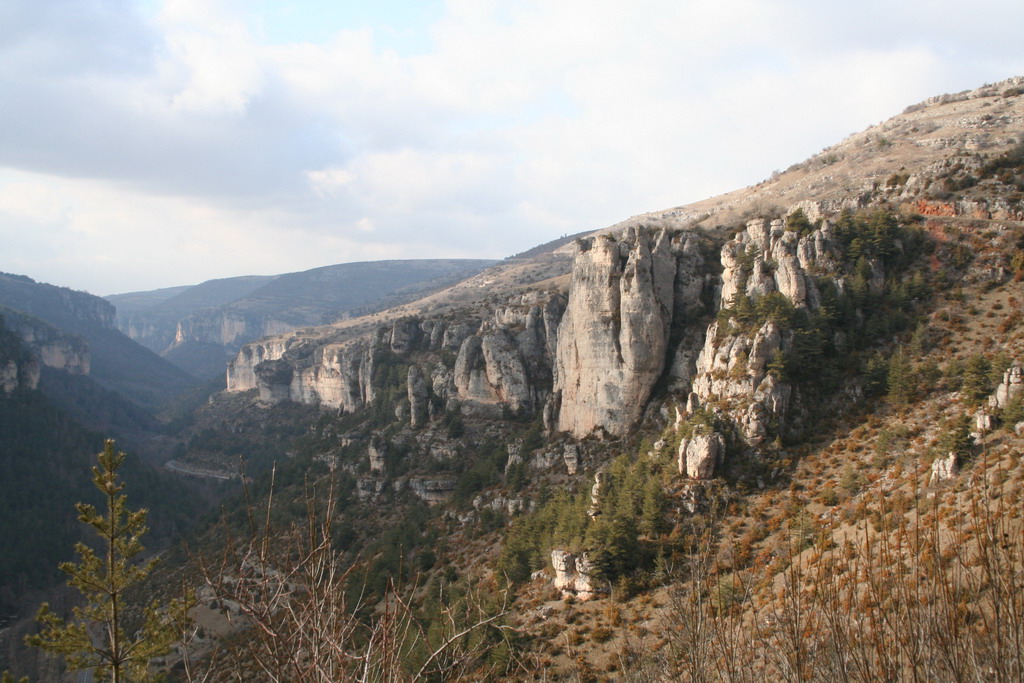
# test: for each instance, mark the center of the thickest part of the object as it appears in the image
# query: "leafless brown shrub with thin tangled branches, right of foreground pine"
(297, 621)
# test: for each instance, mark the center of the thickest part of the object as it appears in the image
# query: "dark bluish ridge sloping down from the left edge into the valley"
(115, 362)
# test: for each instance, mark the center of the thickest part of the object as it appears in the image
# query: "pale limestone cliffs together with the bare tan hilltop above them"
(680, 302)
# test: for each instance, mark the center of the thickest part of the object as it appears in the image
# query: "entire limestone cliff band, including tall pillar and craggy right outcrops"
(636, 311)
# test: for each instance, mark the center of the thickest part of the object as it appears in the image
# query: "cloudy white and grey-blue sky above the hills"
(149, 144)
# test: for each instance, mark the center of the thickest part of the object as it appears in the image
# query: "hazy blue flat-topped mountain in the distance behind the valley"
(199, 328)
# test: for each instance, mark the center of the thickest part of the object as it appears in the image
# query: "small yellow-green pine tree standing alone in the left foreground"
(96, 637)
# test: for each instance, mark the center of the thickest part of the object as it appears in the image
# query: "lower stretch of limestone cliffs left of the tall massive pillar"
(502, 364)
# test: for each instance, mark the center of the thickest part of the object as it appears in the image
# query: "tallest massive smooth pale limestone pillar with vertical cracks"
(613, 340)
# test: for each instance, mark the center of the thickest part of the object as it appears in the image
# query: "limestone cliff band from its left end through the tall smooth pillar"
(588, 360)
